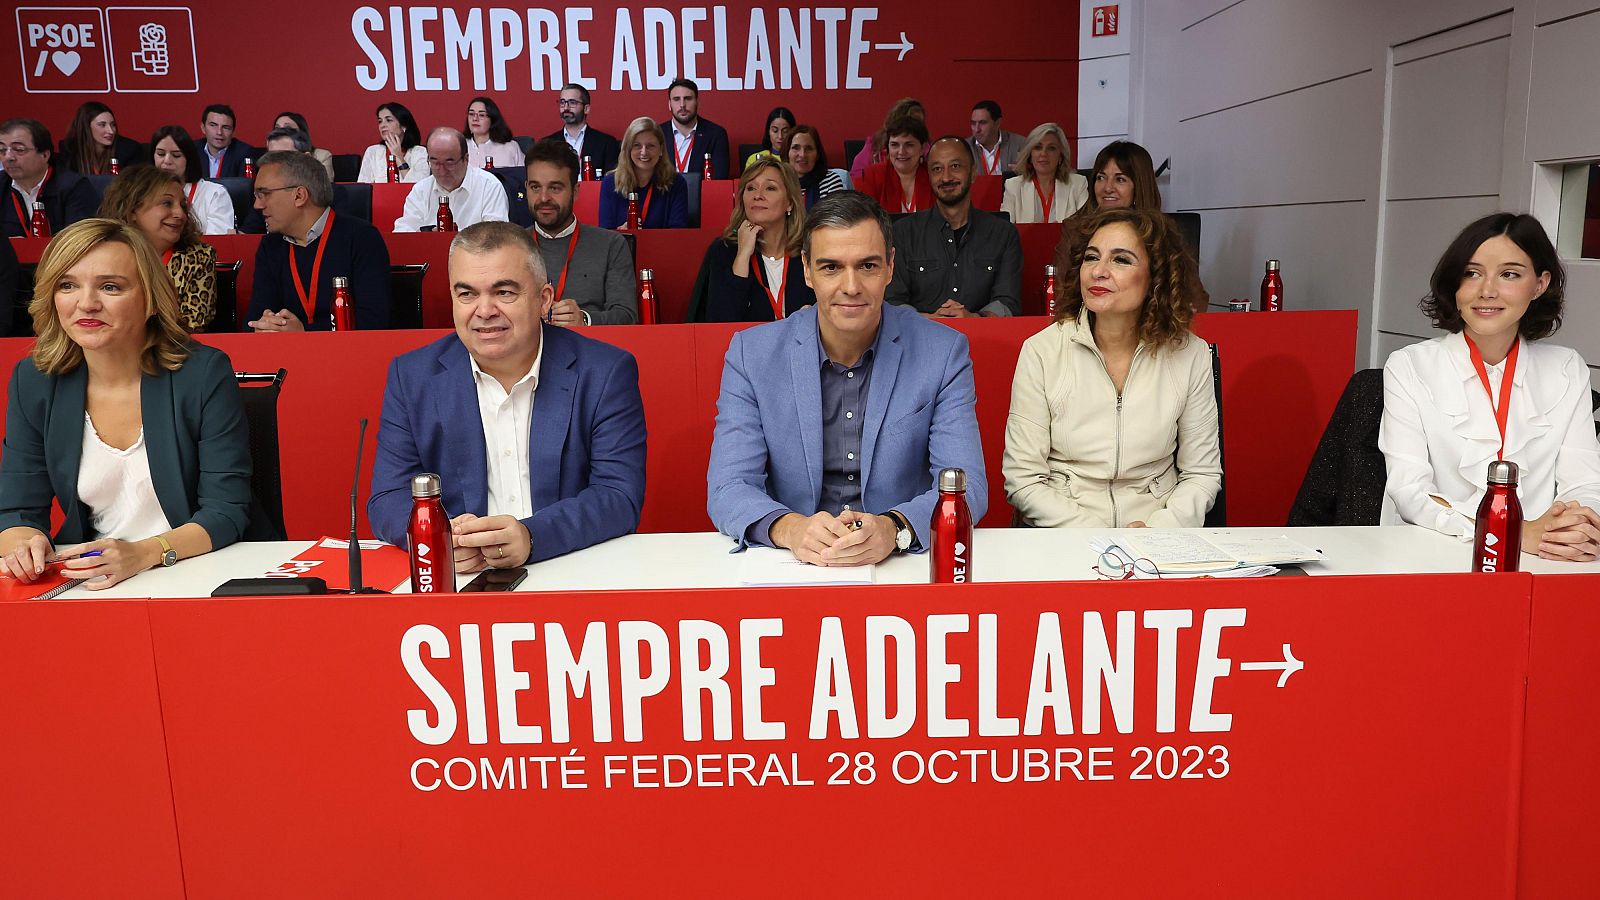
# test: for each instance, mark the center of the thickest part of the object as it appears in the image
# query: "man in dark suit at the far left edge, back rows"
(30, 177)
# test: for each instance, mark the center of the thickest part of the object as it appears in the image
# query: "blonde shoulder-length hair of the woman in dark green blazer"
(166, 342)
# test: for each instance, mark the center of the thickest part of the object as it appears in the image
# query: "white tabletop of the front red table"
(999, 555)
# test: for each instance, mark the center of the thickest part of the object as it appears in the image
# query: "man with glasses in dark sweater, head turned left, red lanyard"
(294, 284)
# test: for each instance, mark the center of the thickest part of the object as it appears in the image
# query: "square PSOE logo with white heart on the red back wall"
(63, 50)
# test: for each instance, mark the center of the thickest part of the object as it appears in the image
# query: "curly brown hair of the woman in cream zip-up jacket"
(1175, 279)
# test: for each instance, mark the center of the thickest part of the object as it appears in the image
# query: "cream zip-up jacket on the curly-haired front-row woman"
(1081, 456)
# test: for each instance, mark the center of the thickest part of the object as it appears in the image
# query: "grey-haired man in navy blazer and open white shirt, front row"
(538, 436)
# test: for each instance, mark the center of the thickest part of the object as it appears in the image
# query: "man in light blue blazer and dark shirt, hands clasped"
(834, 424)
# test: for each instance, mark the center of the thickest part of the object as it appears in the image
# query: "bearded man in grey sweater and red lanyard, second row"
(591, 267)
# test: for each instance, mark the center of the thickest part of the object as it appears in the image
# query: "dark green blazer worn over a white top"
(196, 438)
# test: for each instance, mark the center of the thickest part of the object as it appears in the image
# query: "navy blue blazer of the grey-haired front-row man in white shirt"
(586, 444)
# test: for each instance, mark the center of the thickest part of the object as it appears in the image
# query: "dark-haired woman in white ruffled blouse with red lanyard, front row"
(1492, 390)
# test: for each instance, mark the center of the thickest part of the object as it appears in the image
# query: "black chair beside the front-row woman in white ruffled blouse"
(1345, 483)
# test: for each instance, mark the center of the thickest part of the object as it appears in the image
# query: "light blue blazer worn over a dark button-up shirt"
(767, 454)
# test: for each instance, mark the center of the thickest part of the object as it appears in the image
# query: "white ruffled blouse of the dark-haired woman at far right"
(1439, 433)
